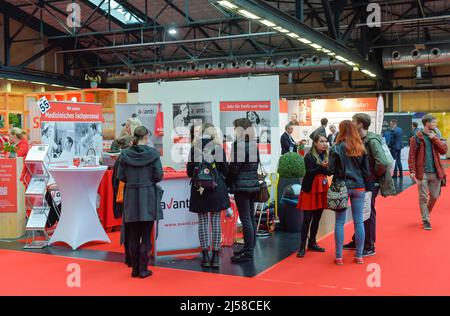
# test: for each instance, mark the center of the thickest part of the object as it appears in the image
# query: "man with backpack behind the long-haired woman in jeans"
(379, 179)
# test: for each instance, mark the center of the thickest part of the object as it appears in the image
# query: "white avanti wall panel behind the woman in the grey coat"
(146, 113)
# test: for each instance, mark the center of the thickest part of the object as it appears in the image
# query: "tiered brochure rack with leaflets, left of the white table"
(36, 166)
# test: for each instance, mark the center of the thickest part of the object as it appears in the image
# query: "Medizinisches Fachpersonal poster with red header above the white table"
(72, 130)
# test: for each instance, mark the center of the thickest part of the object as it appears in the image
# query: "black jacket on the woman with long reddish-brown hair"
(352, 170)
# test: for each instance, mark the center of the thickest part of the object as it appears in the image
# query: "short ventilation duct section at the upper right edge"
(398, 58)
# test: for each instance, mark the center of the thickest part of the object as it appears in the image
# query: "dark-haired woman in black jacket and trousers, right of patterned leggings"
(243, 182)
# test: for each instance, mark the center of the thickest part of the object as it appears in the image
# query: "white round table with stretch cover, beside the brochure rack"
(79, 222)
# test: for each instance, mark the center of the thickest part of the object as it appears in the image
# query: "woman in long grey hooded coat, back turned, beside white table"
(140, 168)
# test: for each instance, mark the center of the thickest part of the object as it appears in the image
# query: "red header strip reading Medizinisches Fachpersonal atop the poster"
(73, 112)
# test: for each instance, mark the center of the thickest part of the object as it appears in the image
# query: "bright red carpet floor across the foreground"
(412, 262)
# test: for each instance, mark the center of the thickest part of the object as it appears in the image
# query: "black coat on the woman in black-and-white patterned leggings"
(212, 200)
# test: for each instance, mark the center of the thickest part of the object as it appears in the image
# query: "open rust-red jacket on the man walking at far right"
(416, 160)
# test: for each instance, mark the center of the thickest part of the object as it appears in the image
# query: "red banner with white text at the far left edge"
(8, 189)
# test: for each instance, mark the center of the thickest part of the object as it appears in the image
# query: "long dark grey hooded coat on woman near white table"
(140, 168)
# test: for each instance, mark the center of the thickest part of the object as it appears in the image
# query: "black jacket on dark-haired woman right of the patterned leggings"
(243, 169)
